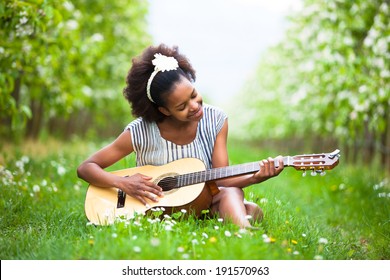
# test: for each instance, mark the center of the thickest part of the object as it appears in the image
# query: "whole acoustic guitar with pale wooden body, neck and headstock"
(186, 185)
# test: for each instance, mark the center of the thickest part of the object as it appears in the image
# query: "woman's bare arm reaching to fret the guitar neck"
(221, 159)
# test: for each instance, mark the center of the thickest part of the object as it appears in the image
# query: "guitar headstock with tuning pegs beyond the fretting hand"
(317, 163)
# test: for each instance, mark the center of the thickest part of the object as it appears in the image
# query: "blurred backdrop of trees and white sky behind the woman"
(303, 75)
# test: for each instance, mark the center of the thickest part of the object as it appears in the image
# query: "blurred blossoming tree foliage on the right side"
(329, 76)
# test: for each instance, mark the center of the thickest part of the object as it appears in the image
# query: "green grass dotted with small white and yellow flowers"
(343, 215)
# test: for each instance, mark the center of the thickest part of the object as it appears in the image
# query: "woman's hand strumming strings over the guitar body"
(140, 187)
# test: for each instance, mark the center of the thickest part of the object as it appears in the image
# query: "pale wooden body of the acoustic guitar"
(101, 204)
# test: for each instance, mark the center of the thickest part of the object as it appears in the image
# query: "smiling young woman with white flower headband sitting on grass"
(173, 123)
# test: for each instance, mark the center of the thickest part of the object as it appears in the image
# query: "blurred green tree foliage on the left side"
(62, 62)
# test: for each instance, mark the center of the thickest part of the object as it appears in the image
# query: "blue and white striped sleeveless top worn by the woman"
(151, 148)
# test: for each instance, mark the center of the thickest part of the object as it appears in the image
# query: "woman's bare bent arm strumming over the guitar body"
(138, 185)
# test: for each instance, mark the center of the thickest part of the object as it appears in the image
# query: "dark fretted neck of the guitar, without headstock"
(223, 172)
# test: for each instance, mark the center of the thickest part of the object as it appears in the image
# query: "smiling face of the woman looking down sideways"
(184, 103)
